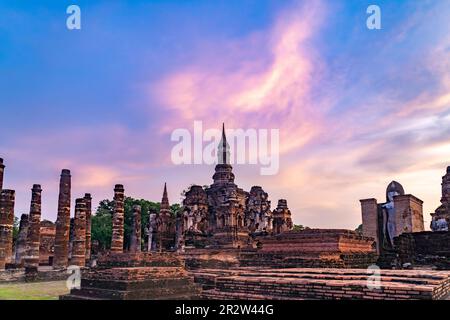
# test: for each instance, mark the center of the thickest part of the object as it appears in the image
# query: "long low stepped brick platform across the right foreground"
(312, 284)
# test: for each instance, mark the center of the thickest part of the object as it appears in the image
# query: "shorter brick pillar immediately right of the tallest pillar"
(79, 236)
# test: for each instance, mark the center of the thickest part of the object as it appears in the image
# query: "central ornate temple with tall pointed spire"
(224, 215)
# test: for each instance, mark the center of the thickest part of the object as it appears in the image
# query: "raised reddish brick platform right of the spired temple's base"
(313, 248)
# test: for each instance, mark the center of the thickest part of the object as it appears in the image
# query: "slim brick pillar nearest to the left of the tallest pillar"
(34, 231)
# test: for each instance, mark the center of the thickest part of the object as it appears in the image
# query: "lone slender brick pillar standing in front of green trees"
(118, 216)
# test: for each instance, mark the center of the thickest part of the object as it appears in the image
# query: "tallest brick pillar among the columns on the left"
(63, 222)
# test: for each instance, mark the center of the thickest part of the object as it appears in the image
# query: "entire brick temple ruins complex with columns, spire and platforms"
(228, 243)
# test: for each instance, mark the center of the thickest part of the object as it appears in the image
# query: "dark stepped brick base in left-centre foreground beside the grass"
(136, 276)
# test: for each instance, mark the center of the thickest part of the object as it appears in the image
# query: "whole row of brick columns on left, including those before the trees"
(27, 246)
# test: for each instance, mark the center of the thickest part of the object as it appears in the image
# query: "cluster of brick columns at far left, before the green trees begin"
(28, 242)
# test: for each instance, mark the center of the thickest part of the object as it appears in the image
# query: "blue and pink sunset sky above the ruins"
(356, 108)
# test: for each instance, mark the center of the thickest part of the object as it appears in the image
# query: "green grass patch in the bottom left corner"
(33, 291)
